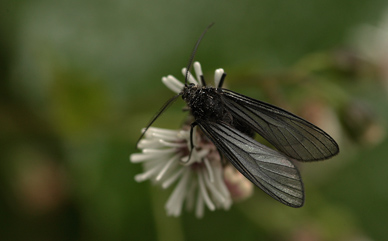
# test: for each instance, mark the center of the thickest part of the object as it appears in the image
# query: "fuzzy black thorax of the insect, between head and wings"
(205, 103)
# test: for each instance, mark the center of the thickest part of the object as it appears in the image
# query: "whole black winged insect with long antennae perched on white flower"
(229, 120)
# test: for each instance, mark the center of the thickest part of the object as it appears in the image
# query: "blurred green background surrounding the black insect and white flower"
(79, 79)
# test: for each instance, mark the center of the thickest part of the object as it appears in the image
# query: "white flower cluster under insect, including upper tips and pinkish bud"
(200, 179)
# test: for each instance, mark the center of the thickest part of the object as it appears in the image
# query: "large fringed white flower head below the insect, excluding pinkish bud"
(199, 179)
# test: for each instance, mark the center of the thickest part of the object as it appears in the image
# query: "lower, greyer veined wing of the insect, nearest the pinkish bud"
(268, 169)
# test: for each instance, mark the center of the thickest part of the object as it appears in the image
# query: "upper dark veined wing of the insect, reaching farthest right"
(290, 134)
